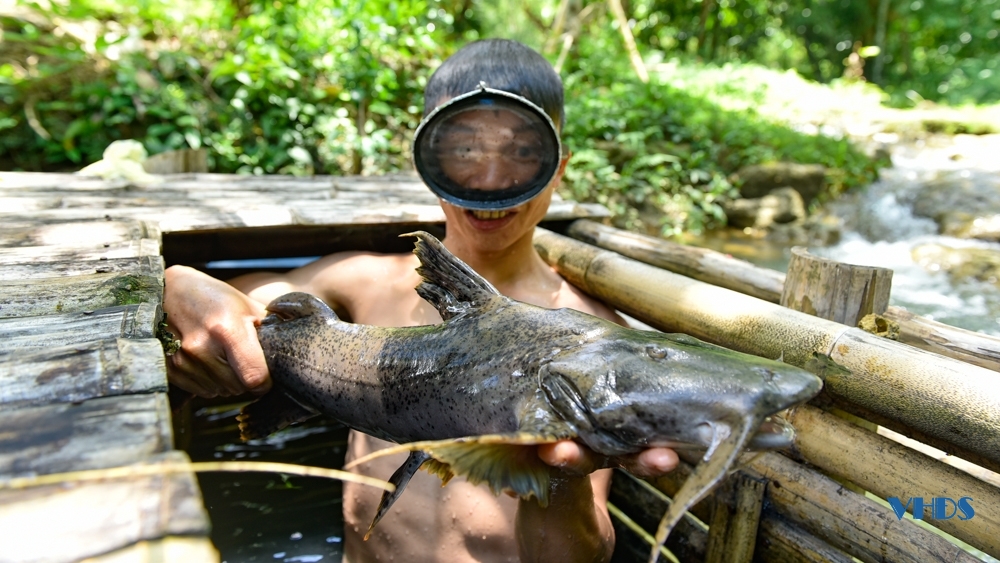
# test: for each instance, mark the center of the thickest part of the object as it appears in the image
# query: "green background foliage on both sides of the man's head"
(307, 86)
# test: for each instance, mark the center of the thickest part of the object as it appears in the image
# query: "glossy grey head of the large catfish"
(630, 390)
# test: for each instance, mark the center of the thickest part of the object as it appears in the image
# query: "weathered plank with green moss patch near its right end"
(34, 297)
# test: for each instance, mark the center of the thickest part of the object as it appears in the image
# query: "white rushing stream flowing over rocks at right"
(880, 229)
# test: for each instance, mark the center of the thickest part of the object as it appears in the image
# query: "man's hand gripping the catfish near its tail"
(220, 353)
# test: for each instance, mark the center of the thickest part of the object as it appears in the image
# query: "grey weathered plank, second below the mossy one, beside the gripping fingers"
(72, 374)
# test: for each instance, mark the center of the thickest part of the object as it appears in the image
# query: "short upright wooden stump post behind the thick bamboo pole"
(832, 290)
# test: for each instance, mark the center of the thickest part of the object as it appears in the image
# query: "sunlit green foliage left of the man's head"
(276, 87)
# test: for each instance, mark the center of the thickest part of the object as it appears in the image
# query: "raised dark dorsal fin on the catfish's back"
(448, 283)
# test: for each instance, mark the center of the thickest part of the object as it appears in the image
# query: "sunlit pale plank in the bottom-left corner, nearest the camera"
(72, 521)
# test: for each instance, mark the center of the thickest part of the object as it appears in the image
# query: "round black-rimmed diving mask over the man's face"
(487, 150)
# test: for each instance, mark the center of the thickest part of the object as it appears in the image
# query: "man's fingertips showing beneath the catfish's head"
(580, 460)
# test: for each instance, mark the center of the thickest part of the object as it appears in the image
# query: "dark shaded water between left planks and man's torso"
(269, 516)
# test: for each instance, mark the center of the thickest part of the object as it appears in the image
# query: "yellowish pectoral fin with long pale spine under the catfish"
(503, 461)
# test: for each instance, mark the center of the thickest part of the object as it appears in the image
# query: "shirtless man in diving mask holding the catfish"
(480, 158)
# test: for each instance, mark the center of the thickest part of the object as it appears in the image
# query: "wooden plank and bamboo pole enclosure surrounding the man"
(83, 381)
